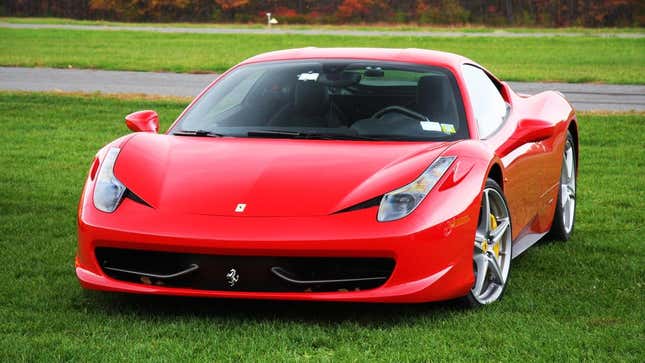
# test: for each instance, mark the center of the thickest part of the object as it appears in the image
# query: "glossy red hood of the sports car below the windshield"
(273, 177)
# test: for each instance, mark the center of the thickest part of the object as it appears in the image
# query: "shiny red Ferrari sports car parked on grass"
(376, 175)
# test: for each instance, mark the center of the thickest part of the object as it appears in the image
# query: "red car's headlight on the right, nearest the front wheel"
(401, 202)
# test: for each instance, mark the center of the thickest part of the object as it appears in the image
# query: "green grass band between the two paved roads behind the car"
(578, 59)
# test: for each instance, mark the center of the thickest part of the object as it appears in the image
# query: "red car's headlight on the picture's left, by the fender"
(108, 190)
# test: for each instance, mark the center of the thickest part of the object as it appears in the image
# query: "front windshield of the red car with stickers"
(330, 99)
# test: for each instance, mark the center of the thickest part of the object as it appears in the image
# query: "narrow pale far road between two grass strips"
(362, 33)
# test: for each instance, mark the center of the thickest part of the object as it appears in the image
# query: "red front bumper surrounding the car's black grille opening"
(433, 260)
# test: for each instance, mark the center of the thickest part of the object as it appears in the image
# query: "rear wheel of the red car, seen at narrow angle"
(565, 210)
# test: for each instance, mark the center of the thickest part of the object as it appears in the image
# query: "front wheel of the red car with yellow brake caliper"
(492, 248)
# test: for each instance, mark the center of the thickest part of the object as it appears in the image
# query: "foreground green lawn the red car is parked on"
(580, 300)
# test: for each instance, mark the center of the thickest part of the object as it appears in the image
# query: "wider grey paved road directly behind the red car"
(584, 97)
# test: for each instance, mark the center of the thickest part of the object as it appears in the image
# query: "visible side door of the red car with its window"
(496, 121)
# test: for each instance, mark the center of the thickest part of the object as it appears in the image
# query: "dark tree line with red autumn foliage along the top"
(547, 13)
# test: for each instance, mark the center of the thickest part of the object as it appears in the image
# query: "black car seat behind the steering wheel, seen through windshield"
(436, 99)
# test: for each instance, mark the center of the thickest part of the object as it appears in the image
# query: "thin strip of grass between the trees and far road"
(368, 27)
